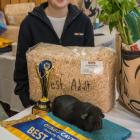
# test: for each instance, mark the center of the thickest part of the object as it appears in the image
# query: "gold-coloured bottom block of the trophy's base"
(38, 111)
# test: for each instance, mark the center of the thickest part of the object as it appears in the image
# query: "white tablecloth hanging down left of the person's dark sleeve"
(7, 85)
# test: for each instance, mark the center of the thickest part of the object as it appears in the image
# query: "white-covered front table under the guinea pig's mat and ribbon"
(118, 115)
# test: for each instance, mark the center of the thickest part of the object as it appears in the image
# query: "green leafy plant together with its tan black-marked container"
(125, 17)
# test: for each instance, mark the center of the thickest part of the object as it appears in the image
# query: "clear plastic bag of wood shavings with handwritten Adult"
(87, 73)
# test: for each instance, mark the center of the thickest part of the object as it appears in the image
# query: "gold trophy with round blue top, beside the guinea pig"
(43, 70)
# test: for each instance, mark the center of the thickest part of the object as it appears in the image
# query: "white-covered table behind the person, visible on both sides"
(7, 62)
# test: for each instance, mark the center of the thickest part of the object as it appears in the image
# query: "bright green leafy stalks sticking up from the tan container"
(117, 14)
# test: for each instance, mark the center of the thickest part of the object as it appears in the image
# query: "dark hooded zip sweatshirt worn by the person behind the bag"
(35, 28)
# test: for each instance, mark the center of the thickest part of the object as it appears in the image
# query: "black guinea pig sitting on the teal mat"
(84, 115)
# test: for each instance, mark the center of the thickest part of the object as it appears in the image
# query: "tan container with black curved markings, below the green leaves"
(129, 81)
